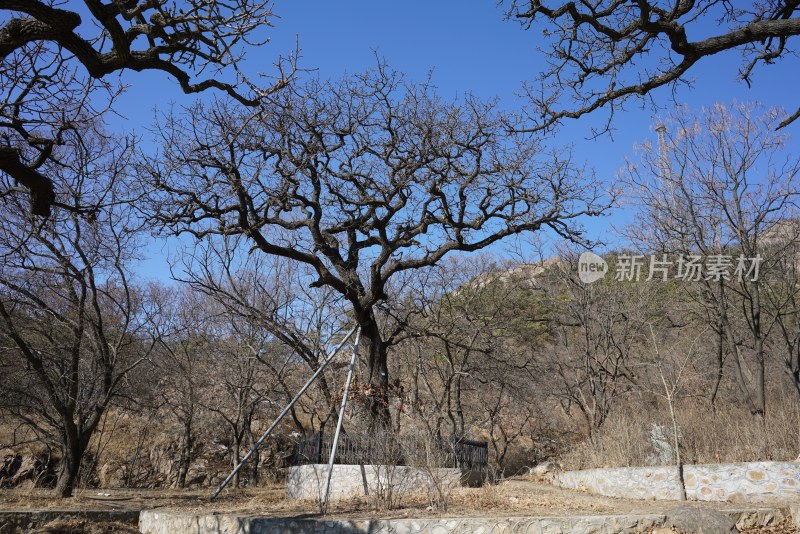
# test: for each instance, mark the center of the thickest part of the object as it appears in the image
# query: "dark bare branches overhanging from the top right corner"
(603, 54)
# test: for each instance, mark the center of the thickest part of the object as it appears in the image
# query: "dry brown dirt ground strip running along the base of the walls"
(515, 497)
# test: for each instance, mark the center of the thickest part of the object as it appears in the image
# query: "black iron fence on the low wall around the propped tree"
(389, 449)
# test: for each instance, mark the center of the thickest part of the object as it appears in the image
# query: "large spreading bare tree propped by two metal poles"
(362, 179)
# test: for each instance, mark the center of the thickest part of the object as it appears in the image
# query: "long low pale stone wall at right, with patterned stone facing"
(740, 482)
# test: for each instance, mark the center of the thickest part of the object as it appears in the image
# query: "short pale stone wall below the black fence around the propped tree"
(308, 481)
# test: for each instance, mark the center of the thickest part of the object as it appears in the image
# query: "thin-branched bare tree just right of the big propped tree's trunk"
(475, 336)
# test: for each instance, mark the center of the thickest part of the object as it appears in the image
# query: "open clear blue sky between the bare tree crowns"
(470, 48)
